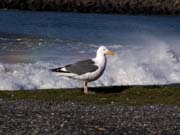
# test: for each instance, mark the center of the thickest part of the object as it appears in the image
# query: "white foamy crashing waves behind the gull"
(155, 63)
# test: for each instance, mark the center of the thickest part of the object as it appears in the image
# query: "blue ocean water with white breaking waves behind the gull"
(147, 48)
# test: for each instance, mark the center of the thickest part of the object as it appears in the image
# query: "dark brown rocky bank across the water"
(97, 6)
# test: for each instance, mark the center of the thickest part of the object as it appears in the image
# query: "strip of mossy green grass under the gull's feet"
(125, 95)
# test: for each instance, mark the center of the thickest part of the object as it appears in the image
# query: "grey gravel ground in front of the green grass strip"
(25, 117)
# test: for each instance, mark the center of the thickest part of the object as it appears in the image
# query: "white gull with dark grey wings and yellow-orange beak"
(86, 70)
